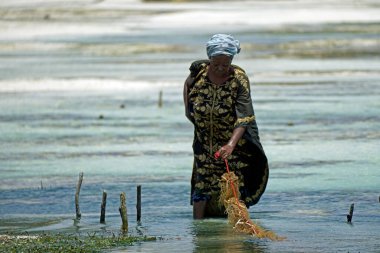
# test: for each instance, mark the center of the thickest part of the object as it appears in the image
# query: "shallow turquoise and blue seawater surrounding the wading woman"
(86, 101)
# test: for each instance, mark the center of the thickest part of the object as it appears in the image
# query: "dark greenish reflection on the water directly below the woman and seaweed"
(216, 235)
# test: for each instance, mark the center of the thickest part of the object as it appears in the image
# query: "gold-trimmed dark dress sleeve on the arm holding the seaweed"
(244, 109)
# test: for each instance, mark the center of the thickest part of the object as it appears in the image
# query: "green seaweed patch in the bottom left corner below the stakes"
(67, 242)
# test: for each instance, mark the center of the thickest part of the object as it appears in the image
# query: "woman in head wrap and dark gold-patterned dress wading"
(218, 102)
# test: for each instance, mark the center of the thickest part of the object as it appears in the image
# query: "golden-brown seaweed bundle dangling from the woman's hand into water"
(237, 211)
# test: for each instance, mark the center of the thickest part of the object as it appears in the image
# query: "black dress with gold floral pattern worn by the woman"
(216, 110)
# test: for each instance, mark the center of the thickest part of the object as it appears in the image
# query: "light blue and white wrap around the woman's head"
(222, 44)
